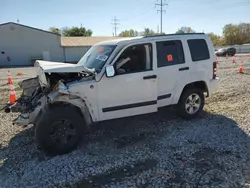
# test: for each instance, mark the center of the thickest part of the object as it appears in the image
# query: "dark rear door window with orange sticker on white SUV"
(169, 53)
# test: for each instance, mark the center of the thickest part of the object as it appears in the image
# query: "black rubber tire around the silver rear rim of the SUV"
(184, 98)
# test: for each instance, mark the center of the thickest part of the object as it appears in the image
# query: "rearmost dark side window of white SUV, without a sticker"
(198, 49)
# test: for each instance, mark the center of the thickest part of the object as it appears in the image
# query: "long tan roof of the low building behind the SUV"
(84, 41)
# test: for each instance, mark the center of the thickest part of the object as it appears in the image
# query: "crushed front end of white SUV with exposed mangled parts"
(41, 91)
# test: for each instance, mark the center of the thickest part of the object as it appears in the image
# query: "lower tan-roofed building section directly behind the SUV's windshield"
(75, 47)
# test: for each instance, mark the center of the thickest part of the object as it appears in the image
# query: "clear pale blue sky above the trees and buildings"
(200, 15)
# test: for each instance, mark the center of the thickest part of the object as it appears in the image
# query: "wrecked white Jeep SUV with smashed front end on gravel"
(115, 79)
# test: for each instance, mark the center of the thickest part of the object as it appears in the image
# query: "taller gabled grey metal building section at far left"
(20, 45)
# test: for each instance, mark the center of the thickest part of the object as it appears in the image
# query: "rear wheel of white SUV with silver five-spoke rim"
(191, 103)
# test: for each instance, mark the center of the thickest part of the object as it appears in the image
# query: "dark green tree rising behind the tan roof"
(77, 31)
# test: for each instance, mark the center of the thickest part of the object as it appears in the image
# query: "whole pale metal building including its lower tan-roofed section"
(21, 45)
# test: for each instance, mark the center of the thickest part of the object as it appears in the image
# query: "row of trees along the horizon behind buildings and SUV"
(232, 33)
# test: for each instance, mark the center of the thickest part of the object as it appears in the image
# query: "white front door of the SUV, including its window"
(133, 89)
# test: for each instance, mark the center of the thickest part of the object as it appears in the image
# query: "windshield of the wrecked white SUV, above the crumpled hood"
(96, 57)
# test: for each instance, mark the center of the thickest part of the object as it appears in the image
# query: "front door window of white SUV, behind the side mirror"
(135, 58)
